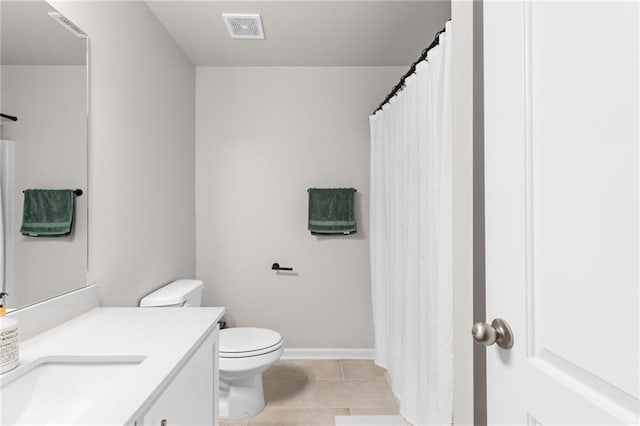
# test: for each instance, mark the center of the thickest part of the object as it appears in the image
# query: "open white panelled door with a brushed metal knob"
(562, 218)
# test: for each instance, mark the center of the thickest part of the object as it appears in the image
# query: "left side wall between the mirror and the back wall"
(141, 155)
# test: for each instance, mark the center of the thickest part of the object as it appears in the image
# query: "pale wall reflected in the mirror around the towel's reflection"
(50, 152)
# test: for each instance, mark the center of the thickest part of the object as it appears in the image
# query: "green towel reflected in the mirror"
(47, 212)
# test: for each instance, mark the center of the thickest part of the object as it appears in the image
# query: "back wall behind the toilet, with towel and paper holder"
(263, 136)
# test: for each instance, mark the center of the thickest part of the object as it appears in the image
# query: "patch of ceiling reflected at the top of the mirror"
(30, 37)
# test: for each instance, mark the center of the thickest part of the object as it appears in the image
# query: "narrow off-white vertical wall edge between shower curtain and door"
(463, 392)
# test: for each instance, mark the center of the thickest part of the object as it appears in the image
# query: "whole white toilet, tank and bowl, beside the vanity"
(244, 352)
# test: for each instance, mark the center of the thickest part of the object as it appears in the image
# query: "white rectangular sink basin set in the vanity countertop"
(60, 390)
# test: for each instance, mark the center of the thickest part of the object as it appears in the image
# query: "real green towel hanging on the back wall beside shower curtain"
(332, 211)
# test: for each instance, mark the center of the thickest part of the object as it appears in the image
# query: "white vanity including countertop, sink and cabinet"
(118, 366)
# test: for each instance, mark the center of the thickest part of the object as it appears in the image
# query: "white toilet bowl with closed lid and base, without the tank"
(245, 353)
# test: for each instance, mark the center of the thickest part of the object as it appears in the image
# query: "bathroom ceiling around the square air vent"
(305, 33)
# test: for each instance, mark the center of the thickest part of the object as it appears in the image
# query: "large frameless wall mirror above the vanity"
(43, 83)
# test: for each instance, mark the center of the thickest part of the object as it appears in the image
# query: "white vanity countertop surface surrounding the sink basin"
(165, 337)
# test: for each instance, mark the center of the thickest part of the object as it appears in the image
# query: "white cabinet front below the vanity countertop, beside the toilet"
(191, 398)
